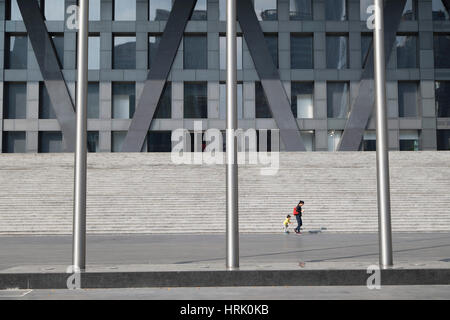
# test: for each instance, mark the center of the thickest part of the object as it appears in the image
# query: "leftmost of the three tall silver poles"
(79, 210)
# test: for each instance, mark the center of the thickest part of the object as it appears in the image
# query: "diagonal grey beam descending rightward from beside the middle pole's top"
(270, 78)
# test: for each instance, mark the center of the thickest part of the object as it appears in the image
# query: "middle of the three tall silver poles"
(232, 246)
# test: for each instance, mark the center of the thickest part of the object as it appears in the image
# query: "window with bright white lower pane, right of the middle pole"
(302, 102)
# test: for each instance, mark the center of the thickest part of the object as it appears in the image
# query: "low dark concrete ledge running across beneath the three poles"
(222, 278)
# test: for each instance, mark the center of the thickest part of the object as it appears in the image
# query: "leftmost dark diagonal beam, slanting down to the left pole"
(51, 72)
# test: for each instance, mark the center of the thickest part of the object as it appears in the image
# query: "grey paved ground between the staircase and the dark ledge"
(205, 249)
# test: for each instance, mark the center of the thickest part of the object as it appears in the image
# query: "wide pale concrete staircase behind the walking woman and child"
(147, 193)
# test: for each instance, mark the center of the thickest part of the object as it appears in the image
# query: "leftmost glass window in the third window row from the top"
(15, 101)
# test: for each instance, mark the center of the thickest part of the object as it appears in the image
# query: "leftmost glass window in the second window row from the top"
(16, 52)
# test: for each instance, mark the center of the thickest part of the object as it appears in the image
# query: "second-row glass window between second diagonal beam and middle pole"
(195, 52)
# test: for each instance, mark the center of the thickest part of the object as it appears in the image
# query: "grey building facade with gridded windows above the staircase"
(320, 49)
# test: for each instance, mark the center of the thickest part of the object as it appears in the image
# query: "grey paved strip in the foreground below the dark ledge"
(253, 293)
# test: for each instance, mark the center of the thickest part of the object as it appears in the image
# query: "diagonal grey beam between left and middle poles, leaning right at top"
(157, 76)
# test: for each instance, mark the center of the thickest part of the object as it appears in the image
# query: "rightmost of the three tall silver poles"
(383, 188)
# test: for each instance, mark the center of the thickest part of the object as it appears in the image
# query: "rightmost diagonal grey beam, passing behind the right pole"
(363, 105)
